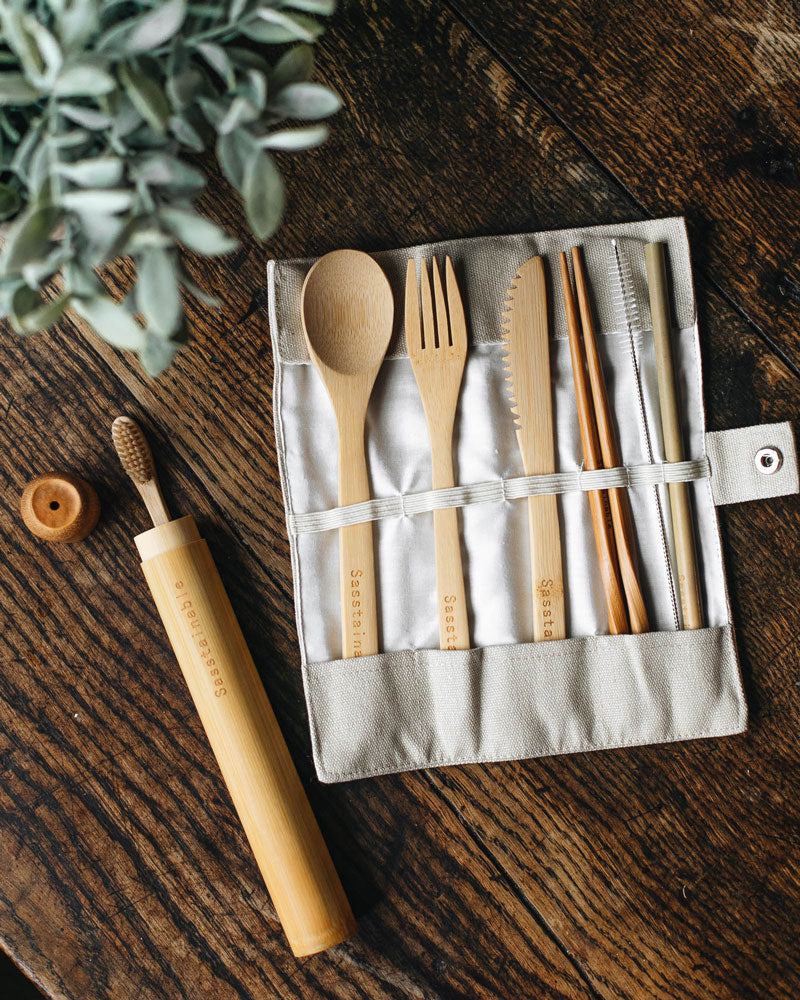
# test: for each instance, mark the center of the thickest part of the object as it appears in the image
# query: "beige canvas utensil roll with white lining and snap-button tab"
(414, 705)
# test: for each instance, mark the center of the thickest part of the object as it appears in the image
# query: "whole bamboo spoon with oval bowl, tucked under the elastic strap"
(347, 311)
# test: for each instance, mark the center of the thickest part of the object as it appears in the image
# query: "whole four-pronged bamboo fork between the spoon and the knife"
(438, 351)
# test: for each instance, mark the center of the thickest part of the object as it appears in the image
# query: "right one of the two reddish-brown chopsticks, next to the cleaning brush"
(618, 499)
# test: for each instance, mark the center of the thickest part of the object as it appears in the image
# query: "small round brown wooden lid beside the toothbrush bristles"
(60, 507)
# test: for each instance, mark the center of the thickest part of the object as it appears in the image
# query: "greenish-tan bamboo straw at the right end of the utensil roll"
(688, 582)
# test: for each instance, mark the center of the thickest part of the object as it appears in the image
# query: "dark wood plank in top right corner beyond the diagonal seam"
(692, 109)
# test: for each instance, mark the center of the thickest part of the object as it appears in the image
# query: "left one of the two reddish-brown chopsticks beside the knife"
(598, 499)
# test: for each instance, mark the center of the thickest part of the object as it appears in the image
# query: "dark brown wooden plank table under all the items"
(662, 872)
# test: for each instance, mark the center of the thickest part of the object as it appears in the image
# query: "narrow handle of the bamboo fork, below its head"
(450, 591)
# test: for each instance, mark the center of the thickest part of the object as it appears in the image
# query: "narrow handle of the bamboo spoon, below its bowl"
(356, 554)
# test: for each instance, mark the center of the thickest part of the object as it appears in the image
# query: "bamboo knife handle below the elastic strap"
(546, 568)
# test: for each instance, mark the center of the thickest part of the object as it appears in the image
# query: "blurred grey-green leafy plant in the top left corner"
(98, 100)
